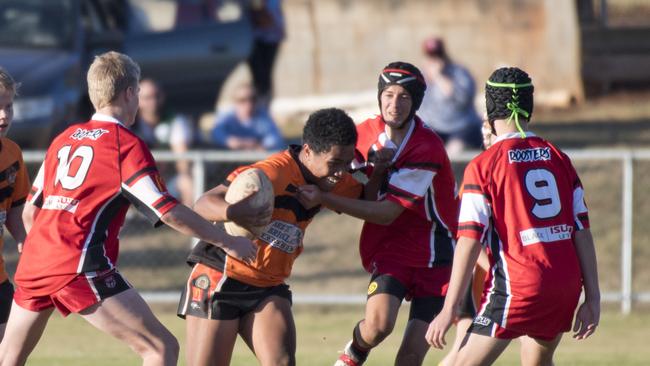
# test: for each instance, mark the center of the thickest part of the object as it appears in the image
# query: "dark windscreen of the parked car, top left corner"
(37, 23)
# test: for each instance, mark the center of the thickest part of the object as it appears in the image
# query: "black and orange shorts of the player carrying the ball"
(209, 294)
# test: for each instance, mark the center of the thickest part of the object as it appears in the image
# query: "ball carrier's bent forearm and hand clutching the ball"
(212, 206)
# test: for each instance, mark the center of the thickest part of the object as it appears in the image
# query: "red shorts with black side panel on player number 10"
(82, 292)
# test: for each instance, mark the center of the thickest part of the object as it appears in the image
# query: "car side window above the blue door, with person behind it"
(166, 15)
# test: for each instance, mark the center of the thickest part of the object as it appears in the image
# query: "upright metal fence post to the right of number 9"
(626, 248)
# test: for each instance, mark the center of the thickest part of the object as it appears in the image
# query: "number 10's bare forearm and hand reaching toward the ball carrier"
(188, 222)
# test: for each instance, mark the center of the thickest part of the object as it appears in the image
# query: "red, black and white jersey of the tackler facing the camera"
(420, 180)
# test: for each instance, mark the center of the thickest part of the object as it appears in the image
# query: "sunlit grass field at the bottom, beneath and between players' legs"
(322, 331)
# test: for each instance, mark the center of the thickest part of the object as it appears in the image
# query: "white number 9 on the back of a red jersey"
(541, 185)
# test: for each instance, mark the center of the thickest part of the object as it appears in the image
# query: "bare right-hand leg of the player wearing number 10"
(128, 318)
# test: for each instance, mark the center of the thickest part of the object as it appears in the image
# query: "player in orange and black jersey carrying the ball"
(225, 296)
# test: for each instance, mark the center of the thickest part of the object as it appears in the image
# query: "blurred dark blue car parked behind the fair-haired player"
(47, 46)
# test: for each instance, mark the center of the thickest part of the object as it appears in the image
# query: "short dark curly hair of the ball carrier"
(329, 127)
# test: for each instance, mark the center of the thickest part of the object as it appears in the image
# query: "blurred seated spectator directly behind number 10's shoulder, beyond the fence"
(160, 128)
